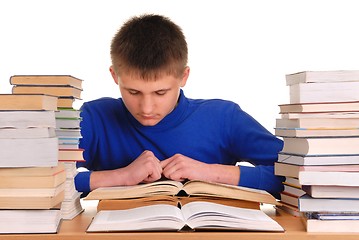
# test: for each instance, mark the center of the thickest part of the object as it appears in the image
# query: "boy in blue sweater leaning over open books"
(154, 131)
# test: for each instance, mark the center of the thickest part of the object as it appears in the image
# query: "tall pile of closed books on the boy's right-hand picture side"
(320, 129)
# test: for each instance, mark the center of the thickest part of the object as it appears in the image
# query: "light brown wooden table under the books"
(76, 230)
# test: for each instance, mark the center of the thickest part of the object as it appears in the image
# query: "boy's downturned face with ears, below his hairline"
(149, 101)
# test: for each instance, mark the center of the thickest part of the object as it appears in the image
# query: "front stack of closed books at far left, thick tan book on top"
(32, 180)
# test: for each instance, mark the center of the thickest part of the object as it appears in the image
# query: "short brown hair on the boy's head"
(149, 45)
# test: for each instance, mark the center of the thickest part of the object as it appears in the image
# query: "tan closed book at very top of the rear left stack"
(65, 80)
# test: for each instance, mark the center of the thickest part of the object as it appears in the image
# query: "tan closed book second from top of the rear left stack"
(59, 91)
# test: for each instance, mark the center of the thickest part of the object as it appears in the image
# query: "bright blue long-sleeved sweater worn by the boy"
(211, 131)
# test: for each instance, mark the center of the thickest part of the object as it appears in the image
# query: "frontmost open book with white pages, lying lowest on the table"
(192, 216)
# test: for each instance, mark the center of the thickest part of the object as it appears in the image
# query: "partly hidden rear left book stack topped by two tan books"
(67, 89)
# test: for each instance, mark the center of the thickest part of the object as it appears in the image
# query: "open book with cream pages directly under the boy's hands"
(194, 188)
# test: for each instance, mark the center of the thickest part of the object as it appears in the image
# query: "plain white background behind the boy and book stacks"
(238, 50)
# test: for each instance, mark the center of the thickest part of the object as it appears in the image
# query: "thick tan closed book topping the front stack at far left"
(12, 102)
